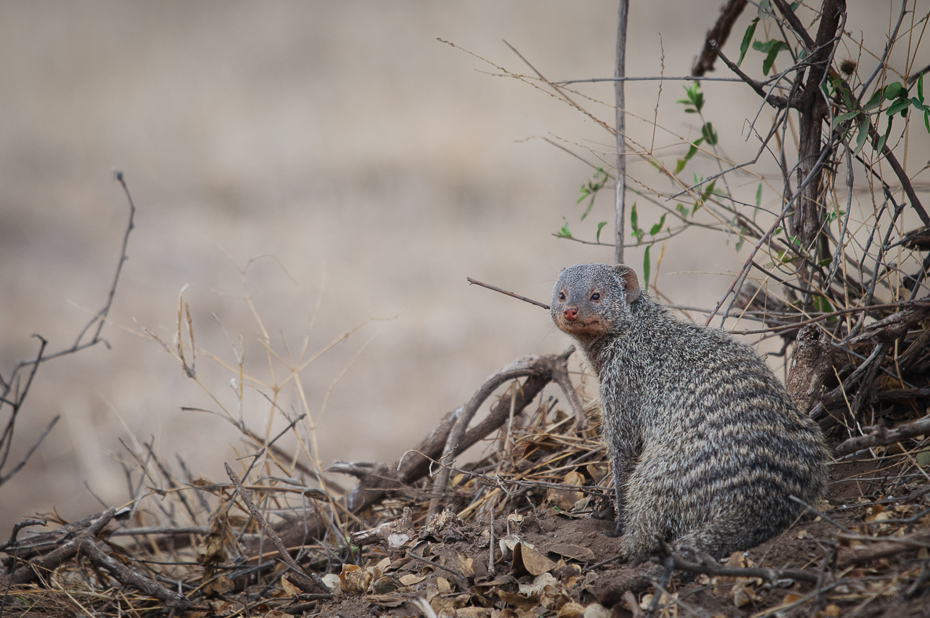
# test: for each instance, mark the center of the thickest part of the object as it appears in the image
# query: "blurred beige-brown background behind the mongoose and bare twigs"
(367, 166)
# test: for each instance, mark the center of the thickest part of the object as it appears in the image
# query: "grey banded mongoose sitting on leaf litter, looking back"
(706, 444)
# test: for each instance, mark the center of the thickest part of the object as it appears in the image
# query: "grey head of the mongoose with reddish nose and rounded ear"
(592, 300)
